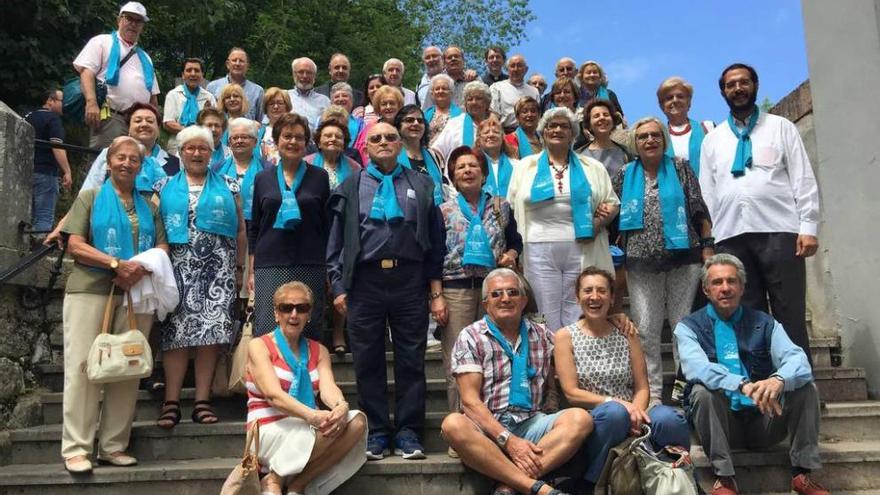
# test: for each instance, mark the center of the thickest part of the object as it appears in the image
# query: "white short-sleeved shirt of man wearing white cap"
(131, 89)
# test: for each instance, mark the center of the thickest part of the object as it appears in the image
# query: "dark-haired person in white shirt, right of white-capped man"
(183, 103)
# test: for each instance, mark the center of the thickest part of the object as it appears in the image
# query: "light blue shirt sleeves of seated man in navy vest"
(789, 361)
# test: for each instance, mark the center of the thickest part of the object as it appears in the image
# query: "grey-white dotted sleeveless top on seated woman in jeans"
(602, 363)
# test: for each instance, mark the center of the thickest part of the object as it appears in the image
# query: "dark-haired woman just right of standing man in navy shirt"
(415, 154)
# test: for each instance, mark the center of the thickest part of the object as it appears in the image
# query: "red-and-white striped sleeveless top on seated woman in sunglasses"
(259, 409)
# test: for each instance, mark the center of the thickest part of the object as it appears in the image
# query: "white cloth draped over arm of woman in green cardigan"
(158, 290)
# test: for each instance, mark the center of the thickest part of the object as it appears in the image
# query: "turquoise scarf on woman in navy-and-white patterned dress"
(215, 210)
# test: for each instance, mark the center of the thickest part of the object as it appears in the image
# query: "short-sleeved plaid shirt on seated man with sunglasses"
(476, 351)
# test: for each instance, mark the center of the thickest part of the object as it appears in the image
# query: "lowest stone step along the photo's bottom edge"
(848, 466)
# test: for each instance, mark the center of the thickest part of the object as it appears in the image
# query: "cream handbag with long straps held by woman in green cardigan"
(115, 358)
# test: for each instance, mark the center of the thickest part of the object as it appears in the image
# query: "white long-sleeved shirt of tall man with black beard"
(777, 194)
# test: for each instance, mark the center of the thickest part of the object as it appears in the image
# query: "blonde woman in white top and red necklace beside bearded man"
(685, 134)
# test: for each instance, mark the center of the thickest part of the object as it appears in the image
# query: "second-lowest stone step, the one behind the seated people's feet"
(841, 422)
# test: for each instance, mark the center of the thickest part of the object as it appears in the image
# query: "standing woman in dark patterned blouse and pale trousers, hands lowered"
(666, 234)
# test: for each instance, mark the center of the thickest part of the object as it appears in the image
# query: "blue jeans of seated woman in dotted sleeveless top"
(611, 426)
